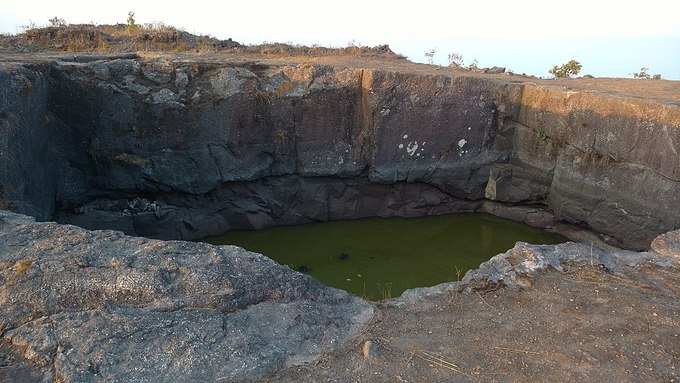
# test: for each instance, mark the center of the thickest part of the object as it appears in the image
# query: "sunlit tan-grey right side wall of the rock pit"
(607, 163)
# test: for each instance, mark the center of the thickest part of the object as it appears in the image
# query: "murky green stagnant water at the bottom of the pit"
(379, 258)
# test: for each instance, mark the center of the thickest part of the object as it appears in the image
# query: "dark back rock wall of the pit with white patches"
(171, 150)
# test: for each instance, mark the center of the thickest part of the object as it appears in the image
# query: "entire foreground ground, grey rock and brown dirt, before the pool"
(100, 306)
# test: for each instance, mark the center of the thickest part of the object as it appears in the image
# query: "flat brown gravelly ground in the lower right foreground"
(582, 324)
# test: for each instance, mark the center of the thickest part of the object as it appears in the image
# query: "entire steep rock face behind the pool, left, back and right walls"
(186, 149)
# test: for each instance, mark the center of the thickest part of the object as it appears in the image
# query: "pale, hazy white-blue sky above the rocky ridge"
(610, 38)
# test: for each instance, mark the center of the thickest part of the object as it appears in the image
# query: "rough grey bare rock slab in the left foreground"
(100, 306)
